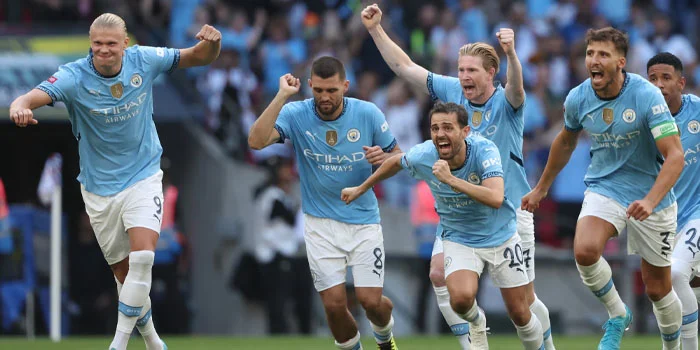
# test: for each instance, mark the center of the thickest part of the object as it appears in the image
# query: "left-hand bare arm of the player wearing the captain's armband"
(559, 154)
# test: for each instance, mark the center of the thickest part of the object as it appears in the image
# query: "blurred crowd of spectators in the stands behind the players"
(264, 40)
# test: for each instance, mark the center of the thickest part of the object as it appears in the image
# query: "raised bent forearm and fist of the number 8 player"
(263, 132)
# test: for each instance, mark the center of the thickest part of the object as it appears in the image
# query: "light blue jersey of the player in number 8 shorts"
(330, 156)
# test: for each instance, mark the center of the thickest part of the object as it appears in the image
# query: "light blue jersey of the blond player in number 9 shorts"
(112, 118)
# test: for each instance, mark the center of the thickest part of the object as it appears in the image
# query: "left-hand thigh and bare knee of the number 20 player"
(463, 268)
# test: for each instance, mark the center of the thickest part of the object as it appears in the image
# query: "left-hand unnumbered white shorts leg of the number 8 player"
(327, 262)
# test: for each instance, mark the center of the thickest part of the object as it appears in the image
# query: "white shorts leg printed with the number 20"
(505, 263)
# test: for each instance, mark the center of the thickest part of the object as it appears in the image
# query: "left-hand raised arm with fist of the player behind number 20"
(397, 59)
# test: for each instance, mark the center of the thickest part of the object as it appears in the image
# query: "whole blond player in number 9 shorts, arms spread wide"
(109, 99)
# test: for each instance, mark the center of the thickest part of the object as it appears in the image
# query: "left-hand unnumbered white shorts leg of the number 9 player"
(106, 221)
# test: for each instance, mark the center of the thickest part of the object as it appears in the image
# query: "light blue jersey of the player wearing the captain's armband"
(624, 159)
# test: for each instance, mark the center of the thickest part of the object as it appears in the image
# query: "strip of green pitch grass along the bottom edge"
(629, 342)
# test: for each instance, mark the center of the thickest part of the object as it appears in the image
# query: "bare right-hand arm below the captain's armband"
(672, 151)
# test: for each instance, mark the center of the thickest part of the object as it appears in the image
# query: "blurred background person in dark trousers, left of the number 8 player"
(276, 246)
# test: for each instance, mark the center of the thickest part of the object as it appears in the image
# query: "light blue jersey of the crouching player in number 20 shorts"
(464, 220)
